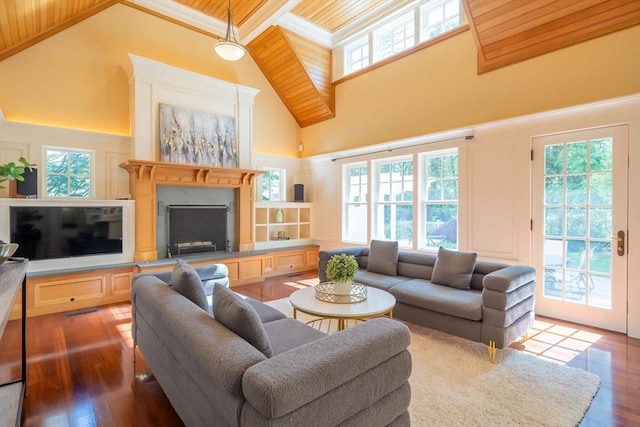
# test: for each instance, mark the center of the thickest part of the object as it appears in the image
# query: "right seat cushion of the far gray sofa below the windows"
(462, 303)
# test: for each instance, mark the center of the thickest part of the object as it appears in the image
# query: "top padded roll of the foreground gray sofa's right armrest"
(329, 369)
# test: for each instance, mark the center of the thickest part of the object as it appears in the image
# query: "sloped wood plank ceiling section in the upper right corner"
(509, 31)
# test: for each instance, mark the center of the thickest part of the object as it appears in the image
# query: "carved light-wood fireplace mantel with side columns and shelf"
(144, 175)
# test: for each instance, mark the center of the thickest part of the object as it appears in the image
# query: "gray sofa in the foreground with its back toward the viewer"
(213, 376)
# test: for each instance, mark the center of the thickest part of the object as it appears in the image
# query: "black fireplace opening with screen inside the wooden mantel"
(196, 229)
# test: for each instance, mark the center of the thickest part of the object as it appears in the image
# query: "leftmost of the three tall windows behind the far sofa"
(356, 206)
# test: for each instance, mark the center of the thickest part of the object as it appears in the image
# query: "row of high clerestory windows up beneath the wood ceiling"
(423, 21)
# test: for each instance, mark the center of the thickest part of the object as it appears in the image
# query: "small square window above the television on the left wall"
(68, 172)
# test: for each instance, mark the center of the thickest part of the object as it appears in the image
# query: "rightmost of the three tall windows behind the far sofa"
(440, 203)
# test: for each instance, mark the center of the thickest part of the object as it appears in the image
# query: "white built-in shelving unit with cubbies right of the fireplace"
(278, 225)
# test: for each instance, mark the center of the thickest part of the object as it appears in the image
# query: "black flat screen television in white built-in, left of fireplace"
(51, 232)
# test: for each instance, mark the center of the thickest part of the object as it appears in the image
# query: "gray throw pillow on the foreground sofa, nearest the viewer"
(236, 314)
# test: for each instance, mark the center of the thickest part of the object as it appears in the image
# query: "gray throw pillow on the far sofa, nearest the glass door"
(454, 268)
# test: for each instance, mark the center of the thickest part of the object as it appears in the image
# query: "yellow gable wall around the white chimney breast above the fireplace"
(75, 78)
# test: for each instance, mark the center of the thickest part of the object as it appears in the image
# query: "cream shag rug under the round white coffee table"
(454, 384)
